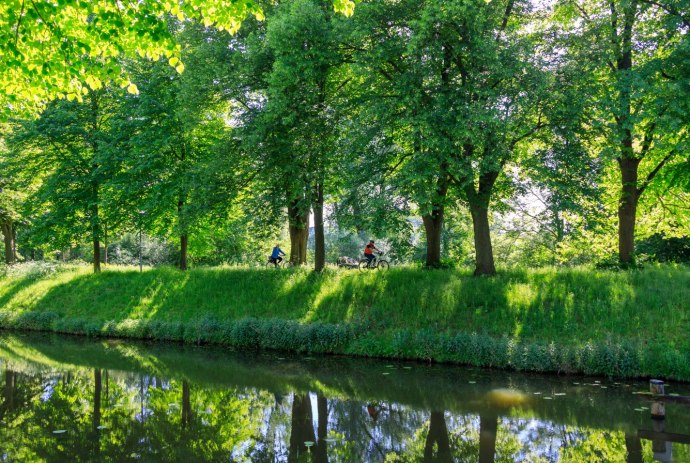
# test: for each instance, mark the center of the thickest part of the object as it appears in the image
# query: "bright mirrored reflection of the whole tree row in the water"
(111, 416)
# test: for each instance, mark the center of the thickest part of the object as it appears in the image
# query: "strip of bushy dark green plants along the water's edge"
(615, 359)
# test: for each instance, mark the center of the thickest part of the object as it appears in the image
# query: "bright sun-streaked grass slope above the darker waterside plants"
(563, 306)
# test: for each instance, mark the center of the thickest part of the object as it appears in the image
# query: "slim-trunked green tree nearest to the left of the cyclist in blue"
(173, 124)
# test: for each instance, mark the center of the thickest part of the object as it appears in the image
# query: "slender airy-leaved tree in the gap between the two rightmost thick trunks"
(561, 174)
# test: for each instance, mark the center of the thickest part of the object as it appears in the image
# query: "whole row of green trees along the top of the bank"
(402, 110)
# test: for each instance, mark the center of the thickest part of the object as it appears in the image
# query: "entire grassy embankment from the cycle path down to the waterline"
(597, 322)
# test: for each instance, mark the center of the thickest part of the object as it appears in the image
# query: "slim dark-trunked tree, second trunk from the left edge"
(66, 148)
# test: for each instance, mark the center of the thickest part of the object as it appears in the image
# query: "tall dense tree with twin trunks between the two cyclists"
(295, 130)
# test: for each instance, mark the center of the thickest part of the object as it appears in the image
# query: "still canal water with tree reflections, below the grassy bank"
(76, 400)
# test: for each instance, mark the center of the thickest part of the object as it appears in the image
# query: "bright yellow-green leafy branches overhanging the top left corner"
(65, 48)
